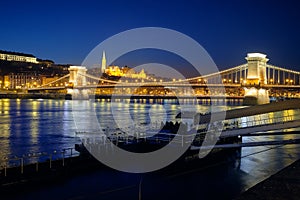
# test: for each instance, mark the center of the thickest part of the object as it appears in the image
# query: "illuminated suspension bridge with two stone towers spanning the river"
(253, 79)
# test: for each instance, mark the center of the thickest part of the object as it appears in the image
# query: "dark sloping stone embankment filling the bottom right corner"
(283, 185)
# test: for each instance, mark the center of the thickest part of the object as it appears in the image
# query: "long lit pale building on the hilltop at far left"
(14, 56)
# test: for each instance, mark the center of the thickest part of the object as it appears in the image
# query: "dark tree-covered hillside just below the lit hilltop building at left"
(46, 67)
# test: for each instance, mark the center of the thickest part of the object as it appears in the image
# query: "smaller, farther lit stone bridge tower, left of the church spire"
(77, 79)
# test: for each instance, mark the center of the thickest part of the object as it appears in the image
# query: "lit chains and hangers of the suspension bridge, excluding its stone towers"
(230, 77)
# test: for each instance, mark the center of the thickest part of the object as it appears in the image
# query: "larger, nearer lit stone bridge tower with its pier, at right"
(256, 78)
